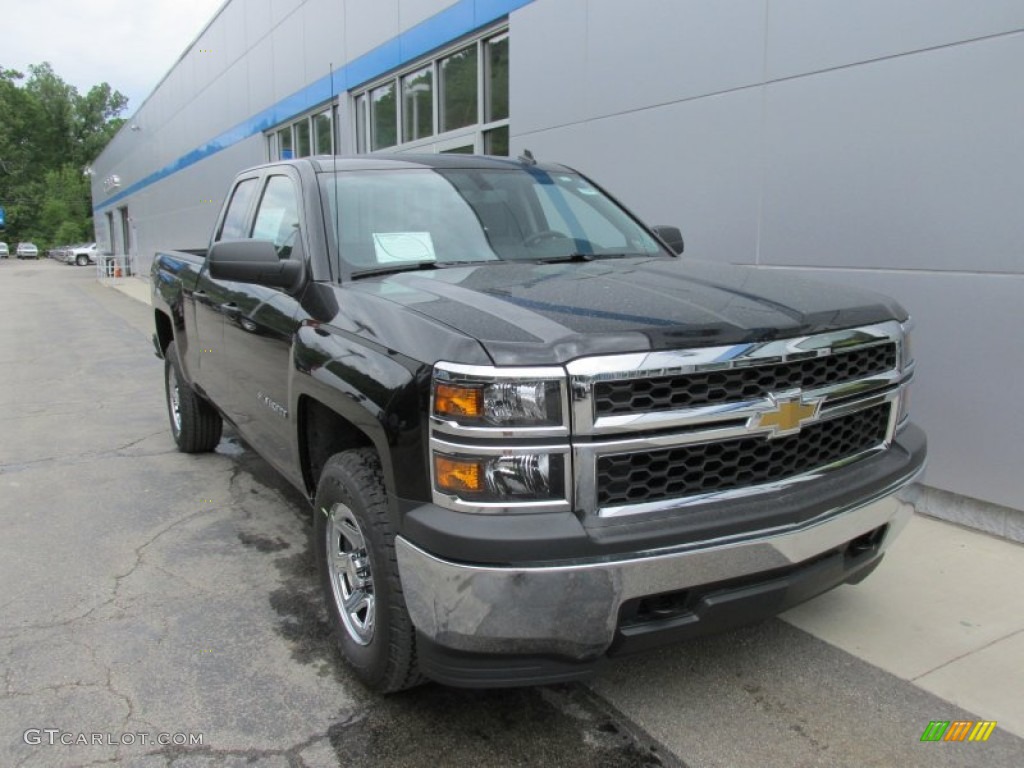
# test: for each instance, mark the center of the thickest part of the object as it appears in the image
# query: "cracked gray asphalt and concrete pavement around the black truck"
(161, 610)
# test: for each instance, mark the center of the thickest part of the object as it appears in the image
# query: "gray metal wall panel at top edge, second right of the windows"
(656, 52)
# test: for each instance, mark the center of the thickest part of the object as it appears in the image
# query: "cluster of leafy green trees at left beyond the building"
(49, 135)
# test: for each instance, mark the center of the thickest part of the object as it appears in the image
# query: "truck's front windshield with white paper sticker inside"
(417, 219)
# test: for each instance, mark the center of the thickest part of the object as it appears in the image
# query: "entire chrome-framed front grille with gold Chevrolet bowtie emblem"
(667, 430)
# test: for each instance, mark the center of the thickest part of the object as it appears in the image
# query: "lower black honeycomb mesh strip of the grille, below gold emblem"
(704, 468)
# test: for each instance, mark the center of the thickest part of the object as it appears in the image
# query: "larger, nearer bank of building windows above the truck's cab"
(455, 102)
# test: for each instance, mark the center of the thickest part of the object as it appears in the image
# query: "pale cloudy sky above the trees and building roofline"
(131, 45)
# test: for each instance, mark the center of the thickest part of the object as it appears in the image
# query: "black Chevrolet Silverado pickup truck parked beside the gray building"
(533, 435)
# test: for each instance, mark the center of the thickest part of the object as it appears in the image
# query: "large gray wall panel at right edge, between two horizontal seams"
(906, 163)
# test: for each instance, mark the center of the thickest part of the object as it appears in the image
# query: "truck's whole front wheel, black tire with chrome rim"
(355, 542)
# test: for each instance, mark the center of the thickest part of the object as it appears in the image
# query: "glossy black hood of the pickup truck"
(551, 314)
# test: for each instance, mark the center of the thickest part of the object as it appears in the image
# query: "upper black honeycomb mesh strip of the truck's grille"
(712, 388)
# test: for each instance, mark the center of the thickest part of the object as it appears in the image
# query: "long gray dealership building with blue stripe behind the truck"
(876, 144)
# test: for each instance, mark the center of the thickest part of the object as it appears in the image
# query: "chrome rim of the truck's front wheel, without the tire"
(352, 580)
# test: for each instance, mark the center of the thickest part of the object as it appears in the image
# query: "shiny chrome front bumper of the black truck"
(572, 611)
